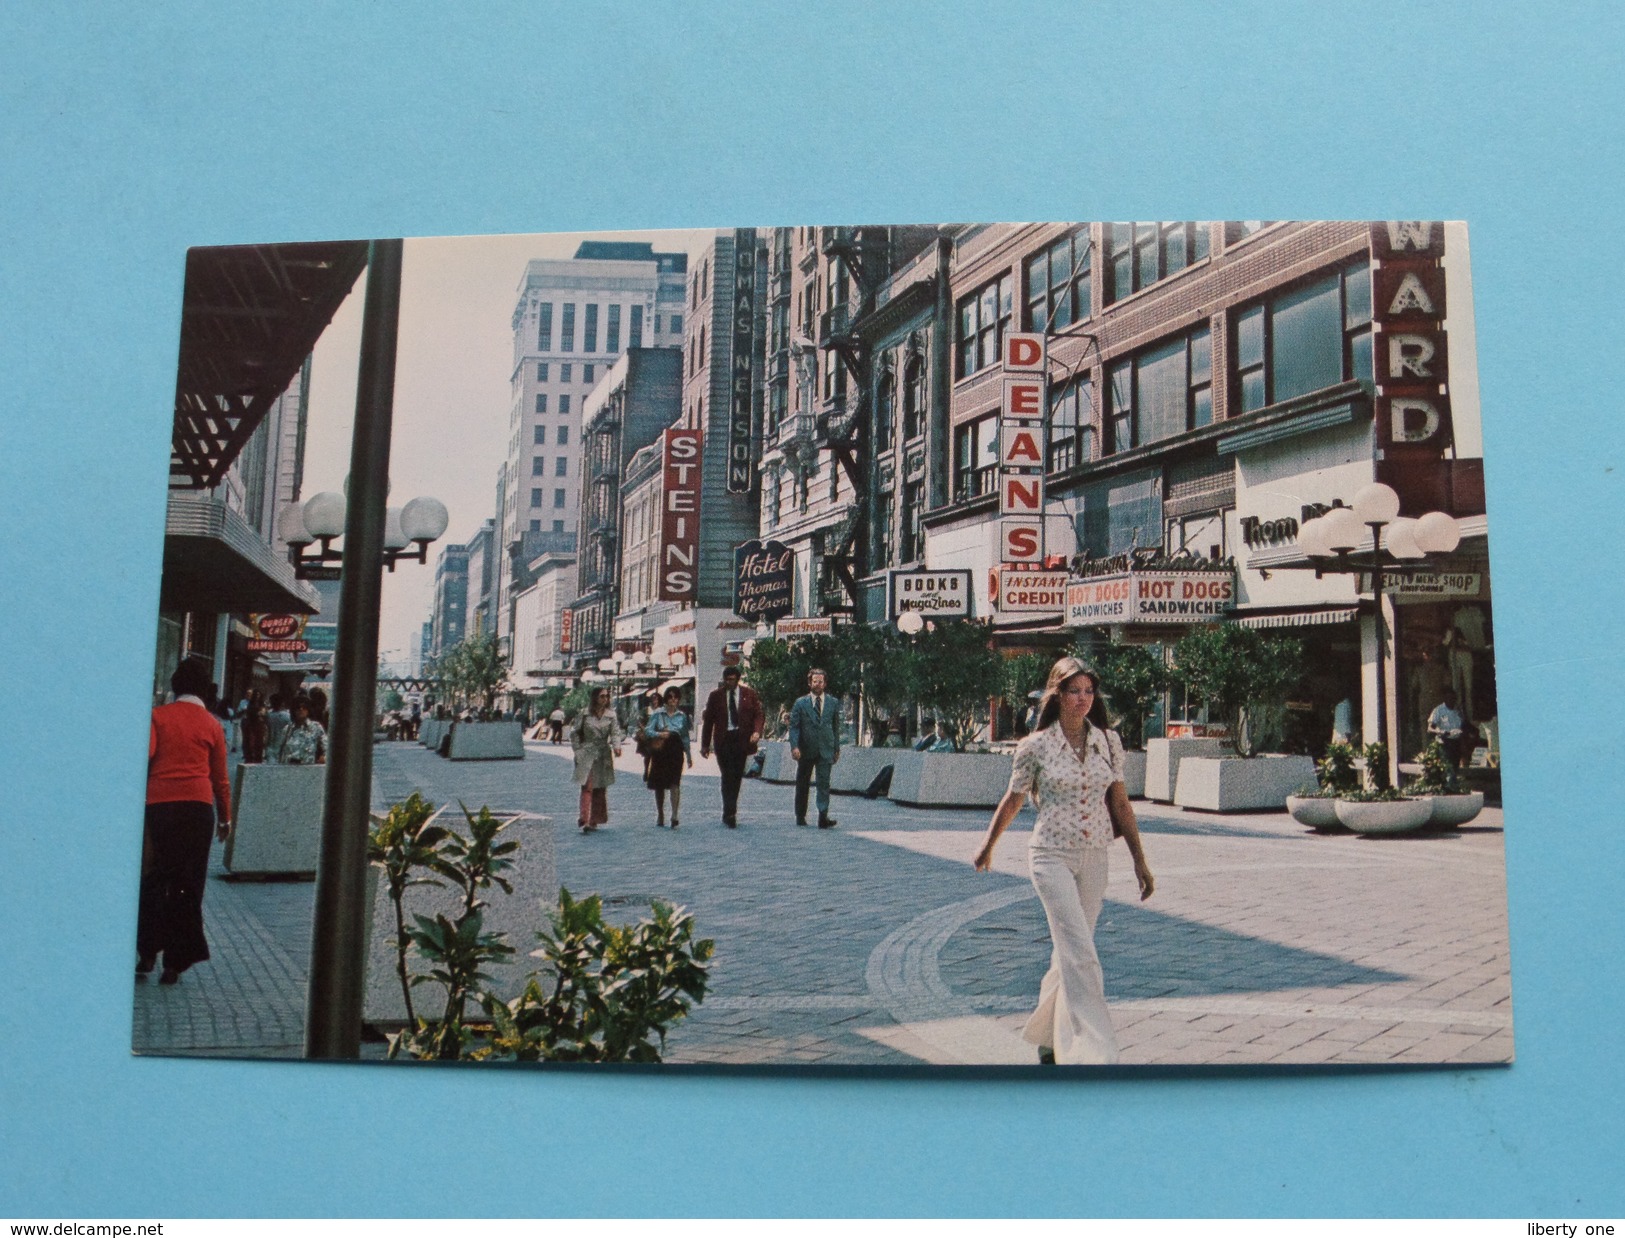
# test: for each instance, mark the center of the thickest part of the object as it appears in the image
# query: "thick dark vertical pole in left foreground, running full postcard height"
(337, 961)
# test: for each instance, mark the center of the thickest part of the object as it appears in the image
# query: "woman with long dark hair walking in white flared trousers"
(1072, 766)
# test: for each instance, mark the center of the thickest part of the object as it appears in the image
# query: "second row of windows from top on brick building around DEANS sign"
(1296, 342)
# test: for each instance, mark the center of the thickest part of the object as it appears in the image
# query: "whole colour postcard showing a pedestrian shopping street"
(740, 649)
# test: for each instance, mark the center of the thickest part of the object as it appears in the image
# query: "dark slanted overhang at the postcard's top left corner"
(249, 318)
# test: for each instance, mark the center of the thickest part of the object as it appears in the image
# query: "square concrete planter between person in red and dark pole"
(279, 821)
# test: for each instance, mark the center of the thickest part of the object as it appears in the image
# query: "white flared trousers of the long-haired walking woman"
(1073, 1018)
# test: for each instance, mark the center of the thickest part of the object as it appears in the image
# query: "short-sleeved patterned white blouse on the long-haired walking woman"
(1072, 794)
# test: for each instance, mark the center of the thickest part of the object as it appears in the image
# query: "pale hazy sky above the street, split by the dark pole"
(453, 396)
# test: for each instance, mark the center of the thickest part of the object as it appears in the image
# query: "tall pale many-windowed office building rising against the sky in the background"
(574, 318)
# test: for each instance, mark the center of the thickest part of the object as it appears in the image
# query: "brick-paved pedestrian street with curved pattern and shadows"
(878, 945)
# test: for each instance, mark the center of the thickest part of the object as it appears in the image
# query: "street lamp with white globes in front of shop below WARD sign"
(1332, 542)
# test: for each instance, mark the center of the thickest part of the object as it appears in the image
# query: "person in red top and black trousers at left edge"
(186, 782)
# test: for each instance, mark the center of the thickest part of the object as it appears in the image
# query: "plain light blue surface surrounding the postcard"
(132, 132)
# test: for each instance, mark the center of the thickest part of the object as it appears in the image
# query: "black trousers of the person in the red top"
(170, 920)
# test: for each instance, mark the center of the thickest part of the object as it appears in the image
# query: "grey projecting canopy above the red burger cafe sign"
(215, 563)
